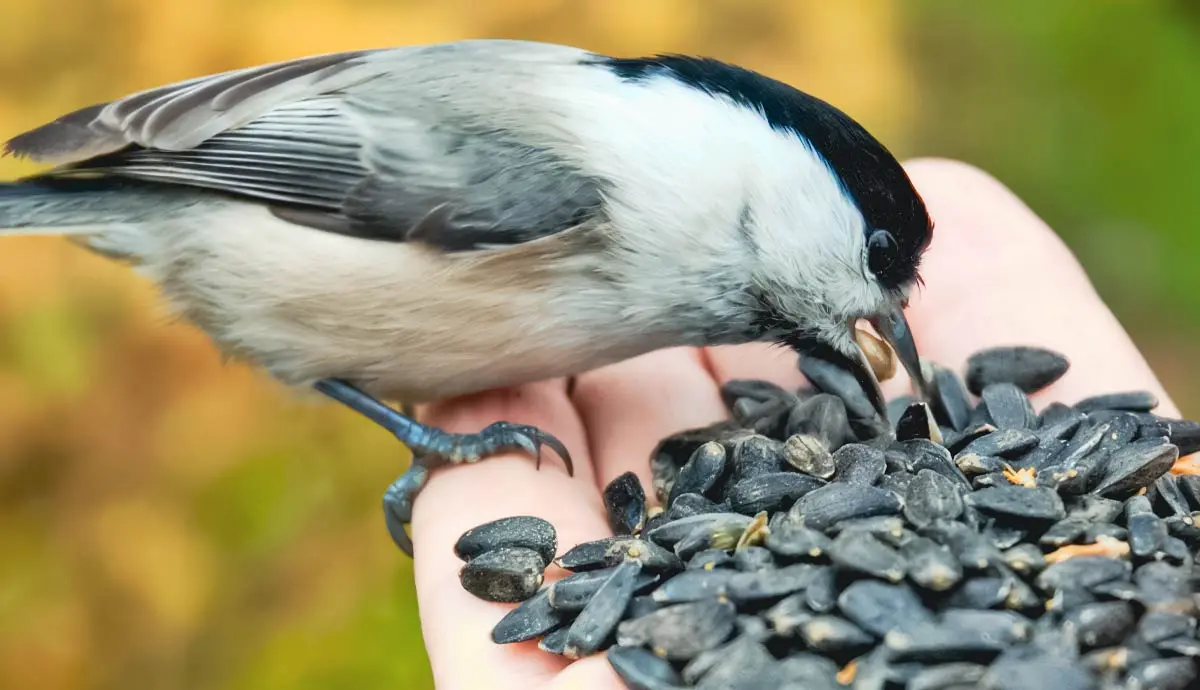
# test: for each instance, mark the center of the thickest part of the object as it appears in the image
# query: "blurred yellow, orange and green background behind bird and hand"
(170, 521)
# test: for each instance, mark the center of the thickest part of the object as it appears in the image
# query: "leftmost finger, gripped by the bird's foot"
(458, 626)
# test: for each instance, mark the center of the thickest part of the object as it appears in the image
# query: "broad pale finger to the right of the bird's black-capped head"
(997, 274)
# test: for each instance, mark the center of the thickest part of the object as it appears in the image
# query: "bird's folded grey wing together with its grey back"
(405, 145)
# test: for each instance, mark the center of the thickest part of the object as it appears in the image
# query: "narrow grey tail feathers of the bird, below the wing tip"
(58, 206)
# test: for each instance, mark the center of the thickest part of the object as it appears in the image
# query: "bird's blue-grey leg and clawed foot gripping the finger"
(434, 448)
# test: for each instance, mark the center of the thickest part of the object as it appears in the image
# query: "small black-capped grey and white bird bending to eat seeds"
(423, 223)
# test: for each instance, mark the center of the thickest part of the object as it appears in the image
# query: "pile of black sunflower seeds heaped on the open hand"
(807, 544)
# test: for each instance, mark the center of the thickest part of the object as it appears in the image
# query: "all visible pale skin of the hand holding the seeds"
(995, 274)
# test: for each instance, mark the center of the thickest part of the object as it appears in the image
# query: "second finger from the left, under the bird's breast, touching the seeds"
(629, 407)
